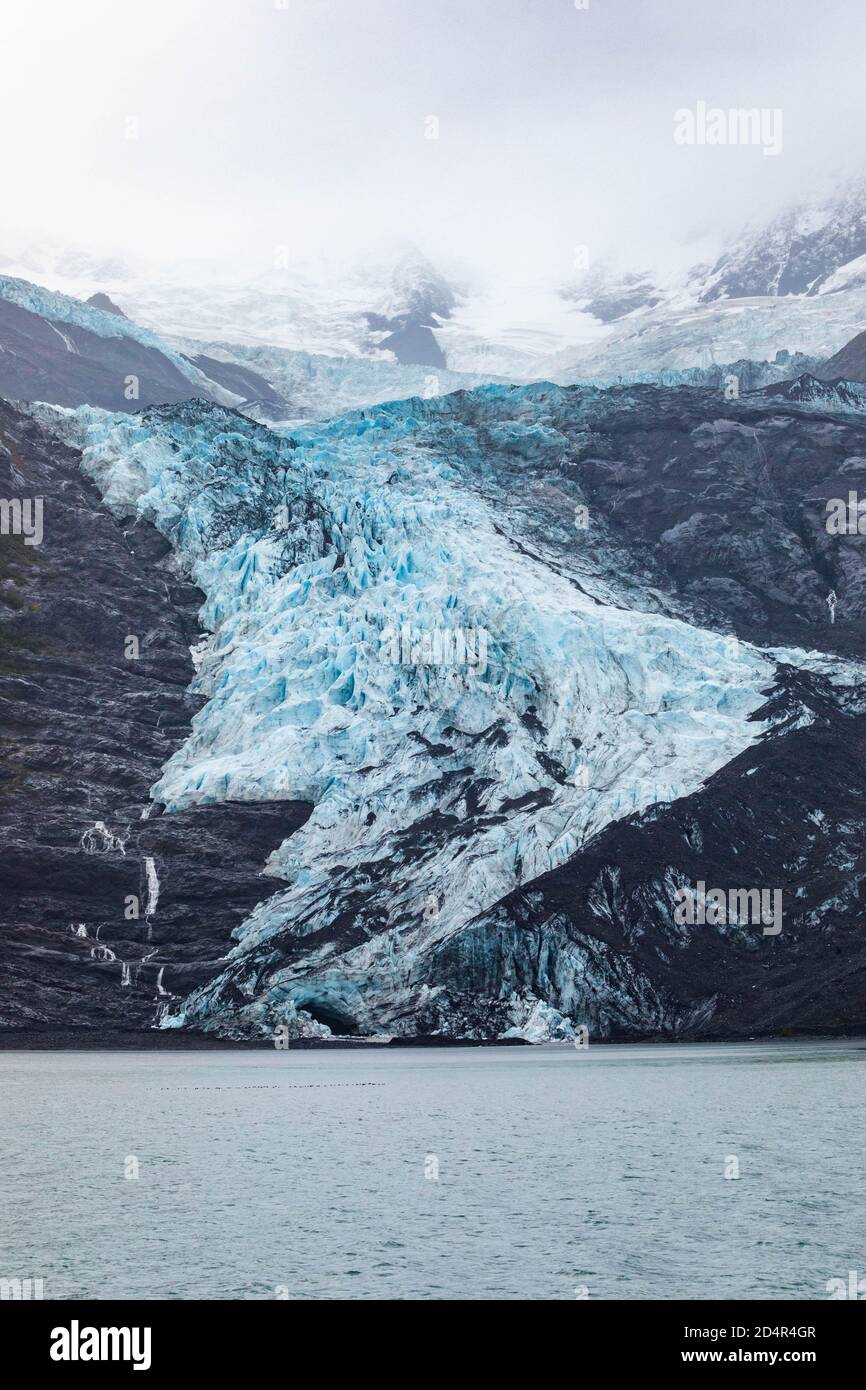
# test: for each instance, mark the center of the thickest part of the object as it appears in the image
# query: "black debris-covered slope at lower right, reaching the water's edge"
(597, 938)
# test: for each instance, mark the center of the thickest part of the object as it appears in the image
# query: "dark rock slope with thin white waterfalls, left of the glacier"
(85, 730)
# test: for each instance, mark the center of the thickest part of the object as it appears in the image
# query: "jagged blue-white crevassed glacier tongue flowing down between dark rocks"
(450, 786)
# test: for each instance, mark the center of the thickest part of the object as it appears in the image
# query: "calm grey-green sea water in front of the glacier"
(313, 1174)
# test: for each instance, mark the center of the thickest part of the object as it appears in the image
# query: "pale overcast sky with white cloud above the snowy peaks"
(305, 126)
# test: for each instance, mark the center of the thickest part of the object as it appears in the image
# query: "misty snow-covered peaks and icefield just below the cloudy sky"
(604, 323)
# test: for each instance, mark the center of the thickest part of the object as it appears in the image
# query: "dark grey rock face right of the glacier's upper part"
(719, 505)
